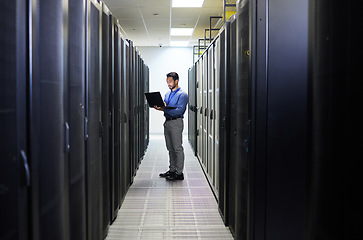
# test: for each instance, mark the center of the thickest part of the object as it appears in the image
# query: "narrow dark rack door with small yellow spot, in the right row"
(243, 118)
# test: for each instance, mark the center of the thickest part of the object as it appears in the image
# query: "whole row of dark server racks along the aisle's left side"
(58, 103)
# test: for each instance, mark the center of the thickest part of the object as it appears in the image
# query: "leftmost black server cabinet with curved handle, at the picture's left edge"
(14, 160)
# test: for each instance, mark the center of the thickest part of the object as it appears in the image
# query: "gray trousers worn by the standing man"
(173, 132)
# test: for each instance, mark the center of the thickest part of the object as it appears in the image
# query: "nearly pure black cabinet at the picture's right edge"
(336, 121)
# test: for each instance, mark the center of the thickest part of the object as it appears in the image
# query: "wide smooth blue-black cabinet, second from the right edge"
(279, 118)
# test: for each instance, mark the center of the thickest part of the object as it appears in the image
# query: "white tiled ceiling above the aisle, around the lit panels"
(148, 22)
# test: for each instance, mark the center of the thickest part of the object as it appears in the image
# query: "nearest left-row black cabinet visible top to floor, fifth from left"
(107, 113)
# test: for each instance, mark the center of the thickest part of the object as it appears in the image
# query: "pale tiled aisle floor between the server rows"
(155, 208)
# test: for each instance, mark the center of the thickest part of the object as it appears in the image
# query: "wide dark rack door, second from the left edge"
(47, 121)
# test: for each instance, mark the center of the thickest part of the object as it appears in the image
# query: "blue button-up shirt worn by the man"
(179, 99)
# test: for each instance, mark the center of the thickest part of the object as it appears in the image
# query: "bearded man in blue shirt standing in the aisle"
(176, 102)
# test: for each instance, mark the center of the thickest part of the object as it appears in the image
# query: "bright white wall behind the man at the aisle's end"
(162, 60)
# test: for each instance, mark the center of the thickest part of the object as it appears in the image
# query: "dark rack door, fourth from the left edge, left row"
(94, 130)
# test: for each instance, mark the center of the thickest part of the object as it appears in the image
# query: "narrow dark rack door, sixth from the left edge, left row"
(116, 163)
